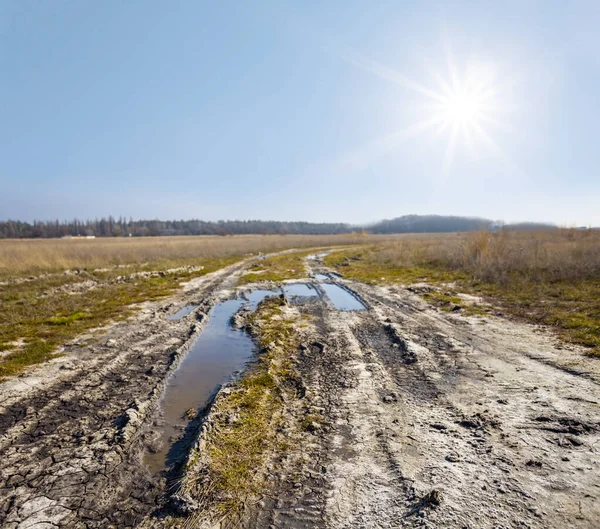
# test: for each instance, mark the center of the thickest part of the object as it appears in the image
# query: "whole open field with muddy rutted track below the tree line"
(461, 390)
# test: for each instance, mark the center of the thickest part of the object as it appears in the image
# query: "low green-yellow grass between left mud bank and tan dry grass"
(38, 316)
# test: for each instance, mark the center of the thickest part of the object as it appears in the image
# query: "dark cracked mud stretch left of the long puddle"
(72, 433)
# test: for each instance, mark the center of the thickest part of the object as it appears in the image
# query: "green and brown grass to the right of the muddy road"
(549, 278)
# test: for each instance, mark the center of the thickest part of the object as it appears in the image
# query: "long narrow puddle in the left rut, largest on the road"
(219, 352)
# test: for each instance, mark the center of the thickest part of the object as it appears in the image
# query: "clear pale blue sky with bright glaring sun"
(321, 111)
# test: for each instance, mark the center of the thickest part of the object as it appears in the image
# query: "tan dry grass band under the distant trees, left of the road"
(33, 257)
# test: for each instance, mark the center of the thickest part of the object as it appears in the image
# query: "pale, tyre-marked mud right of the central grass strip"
(438, 420)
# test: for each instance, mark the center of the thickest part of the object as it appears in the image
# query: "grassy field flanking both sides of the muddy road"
(54, 289)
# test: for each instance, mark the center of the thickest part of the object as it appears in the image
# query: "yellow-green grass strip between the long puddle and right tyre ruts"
(246, 420)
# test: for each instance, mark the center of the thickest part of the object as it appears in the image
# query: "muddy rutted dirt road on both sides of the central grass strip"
(425, 419)
